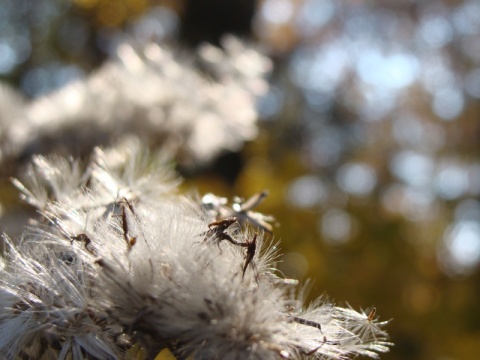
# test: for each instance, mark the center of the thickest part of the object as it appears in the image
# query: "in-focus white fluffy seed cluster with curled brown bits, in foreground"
(119, 260)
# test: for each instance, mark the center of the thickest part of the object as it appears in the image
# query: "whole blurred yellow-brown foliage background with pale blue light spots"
(368, 144)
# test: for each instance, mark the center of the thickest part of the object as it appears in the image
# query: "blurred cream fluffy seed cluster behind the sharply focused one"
(199, 104)
